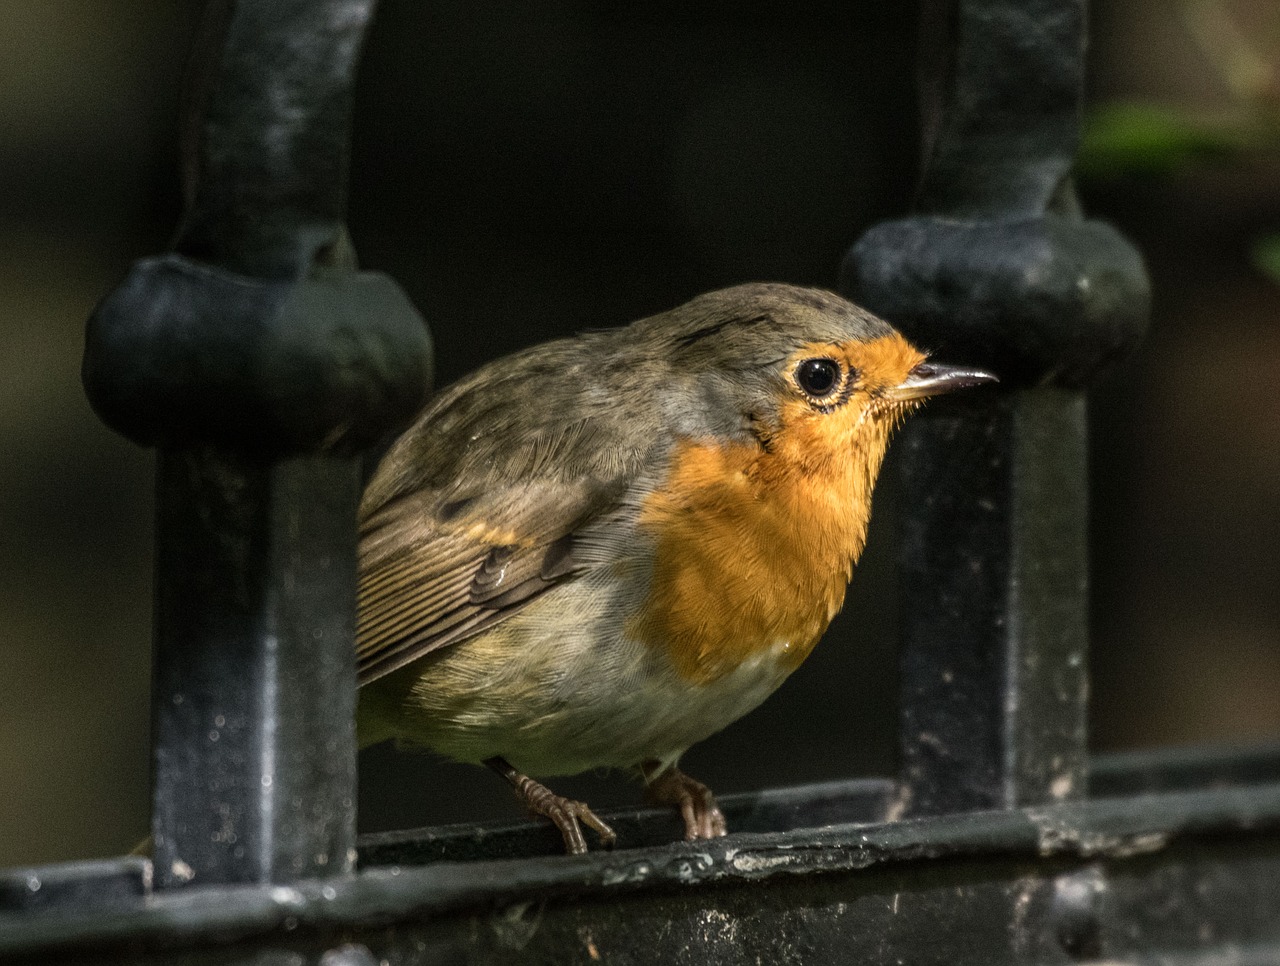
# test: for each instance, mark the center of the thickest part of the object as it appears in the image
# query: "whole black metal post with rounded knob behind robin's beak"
(999, 269)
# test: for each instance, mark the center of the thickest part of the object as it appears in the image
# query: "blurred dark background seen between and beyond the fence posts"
(532, 170)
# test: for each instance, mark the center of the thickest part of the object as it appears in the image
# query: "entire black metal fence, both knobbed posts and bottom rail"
(262, 363)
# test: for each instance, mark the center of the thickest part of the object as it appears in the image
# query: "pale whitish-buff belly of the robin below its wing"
(592, 699)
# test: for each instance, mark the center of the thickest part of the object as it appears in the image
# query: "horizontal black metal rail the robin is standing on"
(802, 841)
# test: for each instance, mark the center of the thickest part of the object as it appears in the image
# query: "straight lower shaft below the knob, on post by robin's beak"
(994, 566)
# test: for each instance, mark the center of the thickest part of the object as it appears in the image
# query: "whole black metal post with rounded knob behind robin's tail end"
(260, 363)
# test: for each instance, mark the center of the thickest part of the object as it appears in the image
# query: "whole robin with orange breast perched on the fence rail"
(601, 551)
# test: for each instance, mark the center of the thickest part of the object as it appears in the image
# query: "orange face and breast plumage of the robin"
(755, 546)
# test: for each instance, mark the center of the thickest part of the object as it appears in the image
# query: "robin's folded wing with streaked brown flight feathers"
(433, 576)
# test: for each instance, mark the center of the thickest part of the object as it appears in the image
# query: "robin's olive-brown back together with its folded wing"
(495, 497)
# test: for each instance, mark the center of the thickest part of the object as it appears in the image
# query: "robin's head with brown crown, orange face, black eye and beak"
(803, 372)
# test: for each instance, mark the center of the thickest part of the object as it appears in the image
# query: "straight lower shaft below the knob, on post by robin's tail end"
(255, 759)
